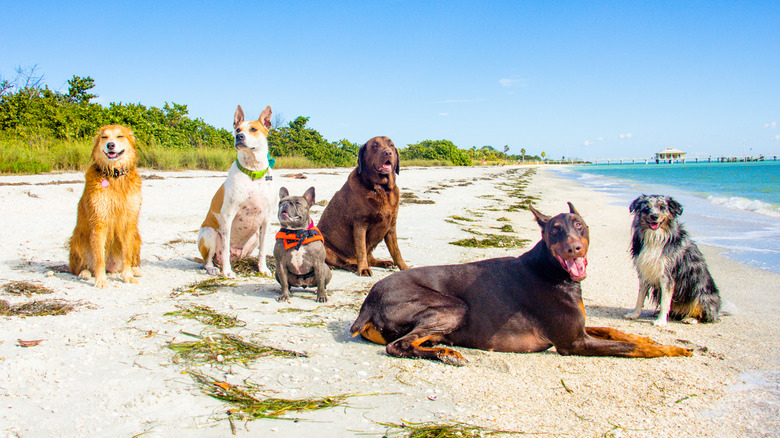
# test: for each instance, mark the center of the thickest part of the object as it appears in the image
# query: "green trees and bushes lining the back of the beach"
(30, 109)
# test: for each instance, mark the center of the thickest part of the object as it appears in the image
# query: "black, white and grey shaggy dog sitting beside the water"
(669, 264)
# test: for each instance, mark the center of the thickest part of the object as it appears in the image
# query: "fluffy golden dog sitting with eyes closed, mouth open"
(106, 236)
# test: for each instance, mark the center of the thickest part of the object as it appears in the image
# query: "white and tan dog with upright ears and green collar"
(237, 221)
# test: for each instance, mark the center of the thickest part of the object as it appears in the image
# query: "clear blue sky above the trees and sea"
(575, 79)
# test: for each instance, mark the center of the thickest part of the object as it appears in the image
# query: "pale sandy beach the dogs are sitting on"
(106, 369)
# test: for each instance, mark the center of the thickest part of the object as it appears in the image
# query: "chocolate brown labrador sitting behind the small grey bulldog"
(364, 211)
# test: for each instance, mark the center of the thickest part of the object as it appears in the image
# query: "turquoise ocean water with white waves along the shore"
(734, 206)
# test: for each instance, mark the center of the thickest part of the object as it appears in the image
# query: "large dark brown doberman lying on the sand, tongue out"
(516, 304)
